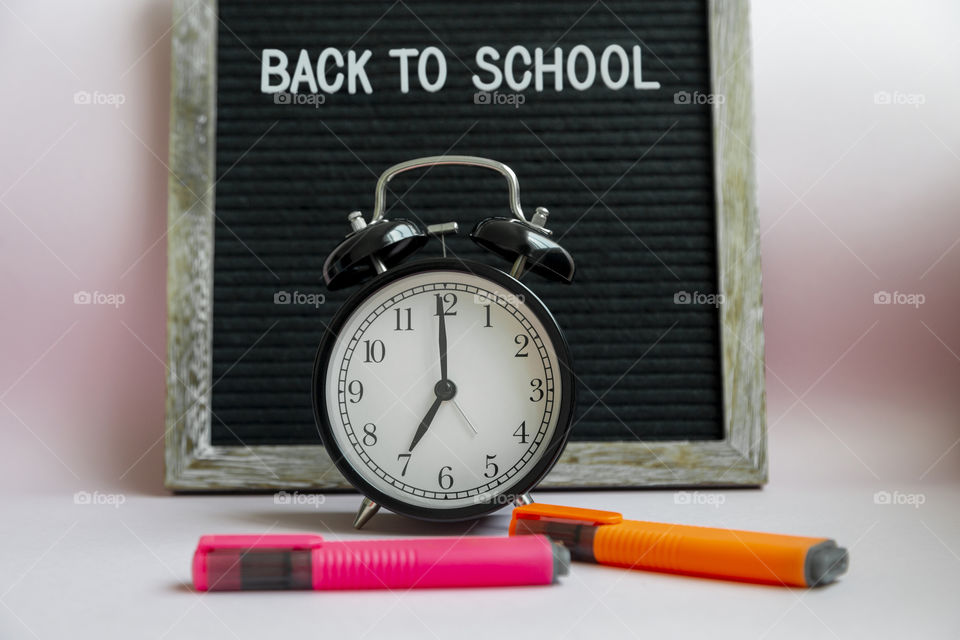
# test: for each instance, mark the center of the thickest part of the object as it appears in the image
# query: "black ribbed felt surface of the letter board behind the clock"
(289, 174)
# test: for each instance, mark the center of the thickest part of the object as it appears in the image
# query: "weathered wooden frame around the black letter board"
(193, 463)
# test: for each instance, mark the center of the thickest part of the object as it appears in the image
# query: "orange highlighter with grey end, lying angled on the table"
(606, 538)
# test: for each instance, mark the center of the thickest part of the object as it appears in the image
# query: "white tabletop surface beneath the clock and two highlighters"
(123, 571)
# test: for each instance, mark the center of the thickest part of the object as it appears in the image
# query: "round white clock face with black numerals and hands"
(434, 441)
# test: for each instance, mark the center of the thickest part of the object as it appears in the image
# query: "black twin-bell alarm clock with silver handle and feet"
(443, 388)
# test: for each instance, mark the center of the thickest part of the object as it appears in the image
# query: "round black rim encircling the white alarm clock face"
(567, 400)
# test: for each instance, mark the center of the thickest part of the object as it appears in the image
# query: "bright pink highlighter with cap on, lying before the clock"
(251, 562)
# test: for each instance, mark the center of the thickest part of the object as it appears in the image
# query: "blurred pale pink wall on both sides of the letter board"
(854, 198)
